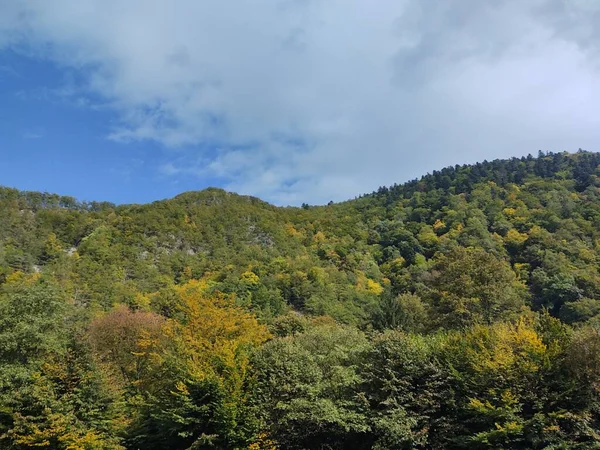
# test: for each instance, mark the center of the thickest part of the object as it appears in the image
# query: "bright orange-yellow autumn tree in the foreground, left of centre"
(202, 400)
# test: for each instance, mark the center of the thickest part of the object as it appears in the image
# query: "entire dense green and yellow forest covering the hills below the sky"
(460, 310)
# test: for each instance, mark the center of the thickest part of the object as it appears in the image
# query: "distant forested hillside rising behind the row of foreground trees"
(537, 217)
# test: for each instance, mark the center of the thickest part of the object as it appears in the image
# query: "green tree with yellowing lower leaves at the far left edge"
(52, 394)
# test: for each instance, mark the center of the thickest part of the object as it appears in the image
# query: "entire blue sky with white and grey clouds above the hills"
(292, 101)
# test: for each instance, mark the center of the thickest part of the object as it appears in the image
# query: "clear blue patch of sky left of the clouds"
(50, 142)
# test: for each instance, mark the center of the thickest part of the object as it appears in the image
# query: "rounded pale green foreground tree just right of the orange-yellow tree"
(307, 393)
